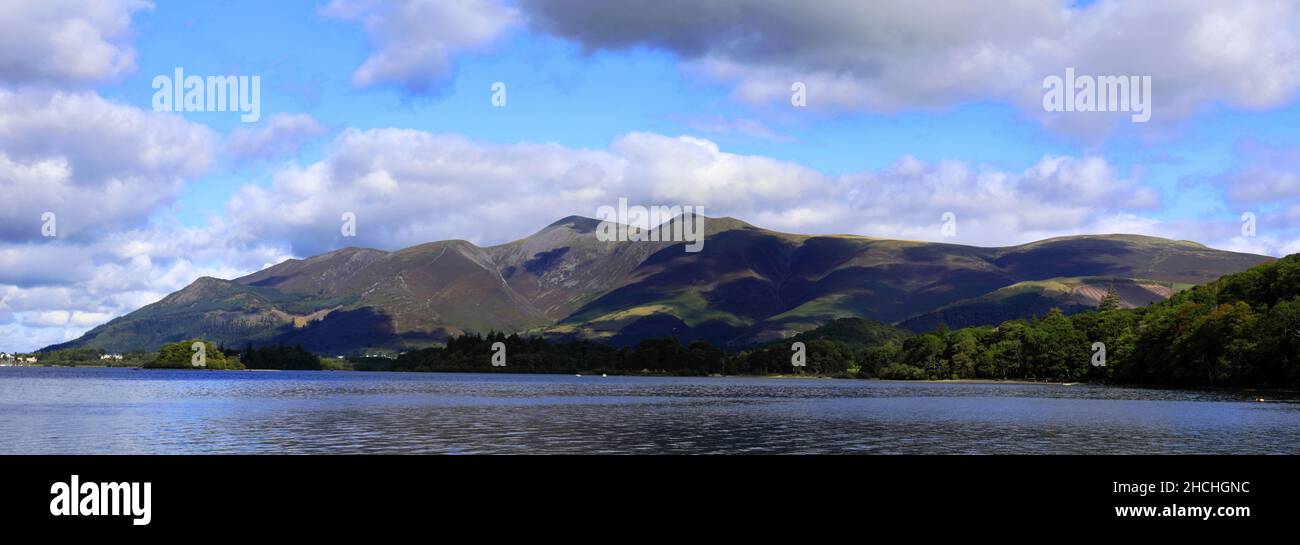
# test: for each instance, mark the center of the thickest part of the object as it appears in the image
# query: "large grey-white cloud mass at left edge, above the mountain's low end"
(103, 170)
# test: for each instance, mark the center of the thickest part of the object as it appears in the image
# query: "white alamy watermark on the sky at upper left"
(213, 94)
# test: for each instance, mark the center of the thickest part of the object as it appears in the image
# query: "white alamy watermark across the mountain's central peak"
(634, 224)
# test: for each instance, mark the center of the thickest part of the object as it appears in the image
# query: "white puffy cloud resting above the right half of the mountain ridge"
(909, 200)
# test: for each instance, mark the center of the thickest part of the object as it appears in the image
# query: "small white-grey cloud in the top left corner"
(67, 42)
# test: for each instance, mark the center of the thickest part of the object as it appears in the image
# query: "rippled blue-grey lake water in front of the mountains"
(99, 410)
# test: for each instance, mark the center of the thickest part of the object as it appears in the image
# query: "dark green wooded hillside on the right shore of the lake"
(1240, 331)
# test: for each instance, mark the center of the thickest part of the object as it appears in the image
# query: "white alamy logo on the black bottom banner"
(102, 499)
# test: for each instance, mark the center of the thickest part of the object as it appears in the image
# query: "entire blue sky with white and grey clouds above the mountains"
(487, 120)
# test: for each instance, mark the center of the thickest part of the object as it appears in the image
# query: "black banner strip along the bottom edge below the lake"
(315, 495)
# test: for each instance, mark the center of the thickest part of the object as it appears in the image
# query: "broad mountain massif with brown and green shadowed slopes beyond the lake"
(747, 286)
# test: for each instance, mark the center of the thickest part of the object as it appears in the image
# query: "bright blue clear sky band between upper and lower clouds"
(561, 94)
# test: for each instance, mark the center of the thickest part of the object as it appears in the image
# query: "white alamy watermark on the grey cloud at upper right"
(1099, 94)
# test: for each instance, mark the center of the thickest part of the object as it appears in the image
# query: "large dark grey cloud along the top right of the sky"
(892, 55)
